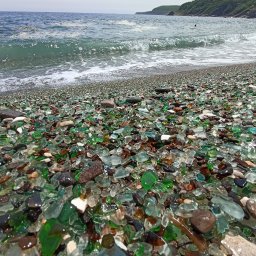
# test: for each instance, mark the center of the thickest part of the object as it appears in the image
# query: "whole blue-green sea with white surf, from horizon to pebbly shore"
(42, 50)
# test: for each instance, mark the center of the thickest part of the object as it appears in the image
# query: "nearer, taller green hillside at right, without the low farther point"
(234, 8)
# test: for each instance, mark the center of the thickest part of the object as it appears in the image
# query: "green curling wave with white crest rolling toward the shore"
(33, 53)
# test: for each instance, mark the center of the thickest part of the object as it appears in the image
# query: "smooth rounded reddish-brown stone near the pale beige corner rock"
(203, 220)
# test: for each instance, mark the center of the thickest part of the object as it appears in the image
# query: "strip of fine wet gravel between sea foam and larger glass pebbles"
(138, 82)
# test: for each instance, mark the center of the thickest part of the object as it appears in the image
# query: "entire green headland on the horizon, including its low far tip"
(214, 8)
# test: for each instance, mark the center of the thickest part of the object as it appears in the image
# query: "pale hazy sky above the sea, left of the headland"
(86, 6)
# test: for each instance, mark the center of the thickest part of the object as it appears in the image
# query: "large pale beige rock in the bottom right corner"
(238, 246)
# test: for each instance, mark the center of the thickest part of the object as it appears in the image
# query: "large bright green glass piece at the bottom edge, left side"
(50, 237)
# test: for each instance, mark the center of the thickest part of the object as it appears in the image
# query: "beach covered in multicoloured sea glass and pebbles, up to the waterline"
(157, 165)
